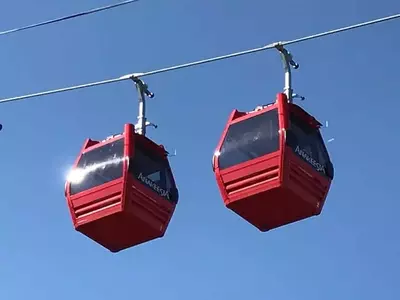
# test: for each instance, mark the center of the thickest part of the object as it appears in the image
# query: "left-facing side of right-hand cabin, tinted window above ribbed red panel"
(257, 168)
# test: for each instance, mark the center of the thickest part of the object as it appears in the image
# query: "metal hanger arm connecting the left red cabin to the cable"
(143, 91)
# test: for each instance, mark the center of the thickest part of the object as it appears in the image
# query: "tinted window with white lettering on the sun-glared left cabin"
(154, 172)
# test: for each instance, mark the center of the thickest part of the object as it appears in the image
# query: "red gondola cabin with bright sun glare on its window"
(121, 191)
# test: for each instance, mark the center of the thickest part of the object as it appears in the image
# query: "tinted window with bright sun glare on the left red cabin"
(98, 166)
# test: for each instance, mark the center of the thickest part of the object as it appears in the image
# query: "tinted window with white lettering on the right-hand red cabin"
(308, 144)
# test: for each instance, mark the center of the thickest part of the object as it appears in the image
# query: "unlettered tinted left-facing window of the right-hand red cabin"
(249, 139)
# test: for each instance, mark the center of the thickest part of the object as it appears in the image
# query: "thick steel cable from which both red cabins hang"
(204, 61)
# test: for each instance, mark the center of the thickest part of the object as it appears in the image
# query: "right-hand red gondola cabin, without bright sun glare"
(272, 166)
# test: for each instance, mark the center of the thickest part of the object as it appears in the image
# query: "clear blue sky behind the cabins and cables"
(351, 251)
